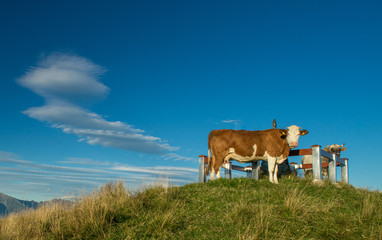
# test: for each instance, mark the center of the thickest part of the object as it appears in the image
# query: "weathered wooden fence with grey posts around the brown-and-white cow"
(316, 152)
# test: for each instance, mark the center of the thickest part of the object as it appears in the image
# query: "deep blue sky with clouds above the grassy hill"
(93, 91)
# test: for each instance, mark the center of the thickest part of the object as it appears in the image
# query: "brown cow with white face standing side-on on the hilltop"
(272, 145)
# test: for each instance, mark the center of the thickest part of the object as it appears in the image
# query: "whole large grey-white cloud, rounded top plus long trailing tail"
(65, 81)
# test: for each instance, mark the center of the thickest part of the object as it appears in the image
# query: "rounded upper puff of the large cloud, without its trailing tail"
(65, 77)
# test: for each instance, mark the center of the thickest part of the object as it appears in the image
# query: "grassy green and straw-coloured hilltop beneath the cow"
(223, 209)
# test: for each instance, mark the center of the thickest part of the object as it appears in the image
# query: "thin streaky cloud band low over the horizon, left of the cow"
(19, 176)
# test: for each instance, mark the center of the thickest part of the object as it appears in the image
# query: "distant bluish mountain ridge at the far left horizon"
(10, 204)
